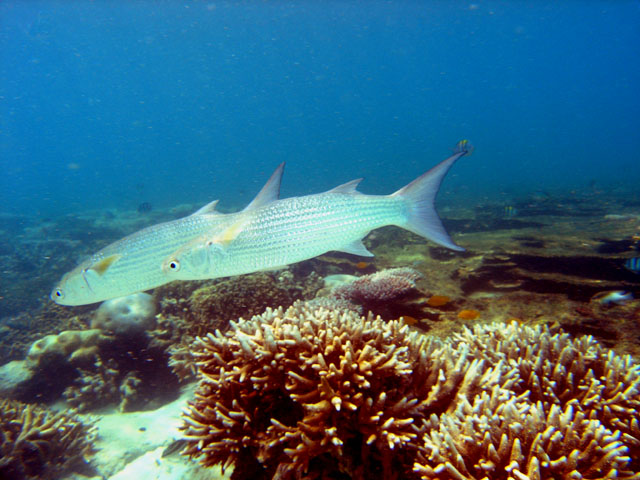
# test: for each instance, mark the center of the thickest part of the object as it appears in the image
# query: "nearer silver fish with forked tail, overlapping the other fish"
(276, 233)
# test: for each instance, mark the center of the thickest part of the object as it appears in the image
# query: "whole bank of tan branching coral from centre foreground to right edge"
(316, 393)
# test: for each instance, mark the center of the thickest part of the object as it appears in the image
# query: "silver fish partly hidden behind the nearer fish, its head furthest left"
(133, 264)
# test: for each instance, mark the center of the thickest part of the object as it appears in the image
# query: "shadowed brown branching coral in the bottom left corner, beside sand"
(36, 443)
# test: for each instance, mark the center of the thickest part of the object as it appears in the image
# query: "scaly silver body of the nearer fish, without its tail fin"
(286, 232)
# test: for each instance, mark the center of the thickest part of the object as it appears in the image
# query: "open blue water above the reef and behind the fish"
(108, 104)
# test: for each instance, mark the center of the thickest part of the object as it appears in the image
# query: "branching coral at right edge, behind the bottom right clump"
(557, 369)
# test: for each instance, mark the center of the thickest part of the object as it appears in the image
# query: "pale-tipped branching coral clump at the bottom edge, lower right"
(504, 436)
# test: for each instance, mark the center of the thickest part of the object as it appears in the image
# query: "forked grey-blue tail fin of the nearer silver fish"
(420, 195)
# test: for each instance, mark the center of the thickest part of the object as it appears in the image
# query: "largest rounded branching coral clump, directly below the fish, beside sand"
(320, 391)
